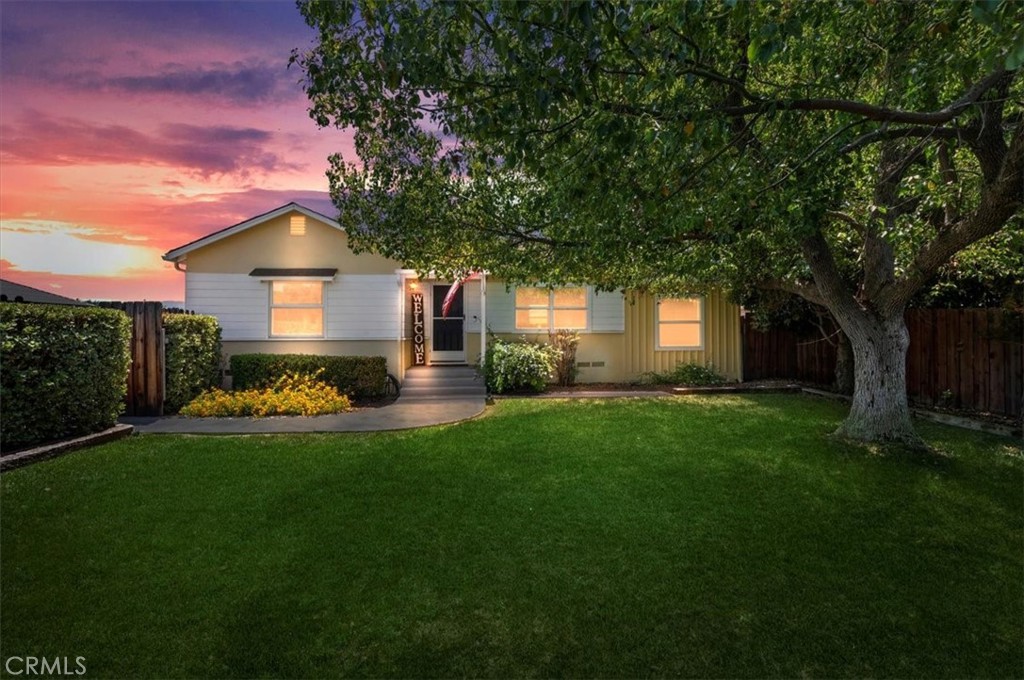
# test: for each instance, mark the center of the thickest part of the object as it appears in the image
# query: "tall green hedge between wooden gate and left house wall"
(193, 358)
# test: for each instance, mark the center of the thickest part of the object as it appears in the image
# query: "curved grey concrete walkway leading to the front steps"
(400, 416)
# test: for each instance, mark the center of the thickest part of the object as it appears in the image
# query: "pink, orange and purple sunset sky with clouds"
(130, 129)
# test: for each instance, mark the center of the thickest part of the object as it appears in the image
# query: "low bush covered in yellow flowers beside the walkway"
(292, 395)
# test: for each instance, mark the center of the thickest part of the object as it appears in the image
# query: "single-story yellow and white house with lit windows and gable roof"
(288, 282)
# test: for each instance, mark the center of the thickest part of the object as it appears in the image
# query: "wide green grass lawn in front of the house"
(686, 537)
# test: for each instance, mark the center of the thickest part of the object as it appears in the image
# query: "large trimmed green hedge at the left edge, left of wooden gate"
(63, 371)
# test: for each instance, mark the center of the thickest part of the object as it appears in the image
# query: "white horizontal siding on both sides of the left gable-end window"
(357, 307)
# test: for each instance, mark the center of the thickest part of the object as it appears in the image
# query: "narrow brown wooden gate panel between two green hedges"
(146, 378)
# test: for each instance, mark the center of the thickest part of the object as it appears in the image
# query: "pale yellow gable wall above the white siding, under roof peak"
(272, 245)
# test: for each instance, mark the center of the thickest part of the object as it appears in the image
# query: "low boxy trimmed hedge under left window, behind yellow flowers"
(361, 377)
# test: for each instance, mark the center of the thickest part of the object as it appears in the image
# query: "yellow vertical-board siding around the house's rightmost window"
(721, 338)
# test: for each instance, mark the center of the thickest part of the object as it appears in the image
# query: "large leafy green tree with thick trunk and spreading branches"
(841, 151)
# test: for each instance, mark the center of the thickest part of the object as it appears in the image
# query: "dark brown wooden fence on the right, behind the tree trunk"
(964, 359)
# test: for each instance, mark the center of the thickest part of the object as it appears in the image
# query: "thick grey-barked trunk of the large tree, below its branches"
(880, 411)
